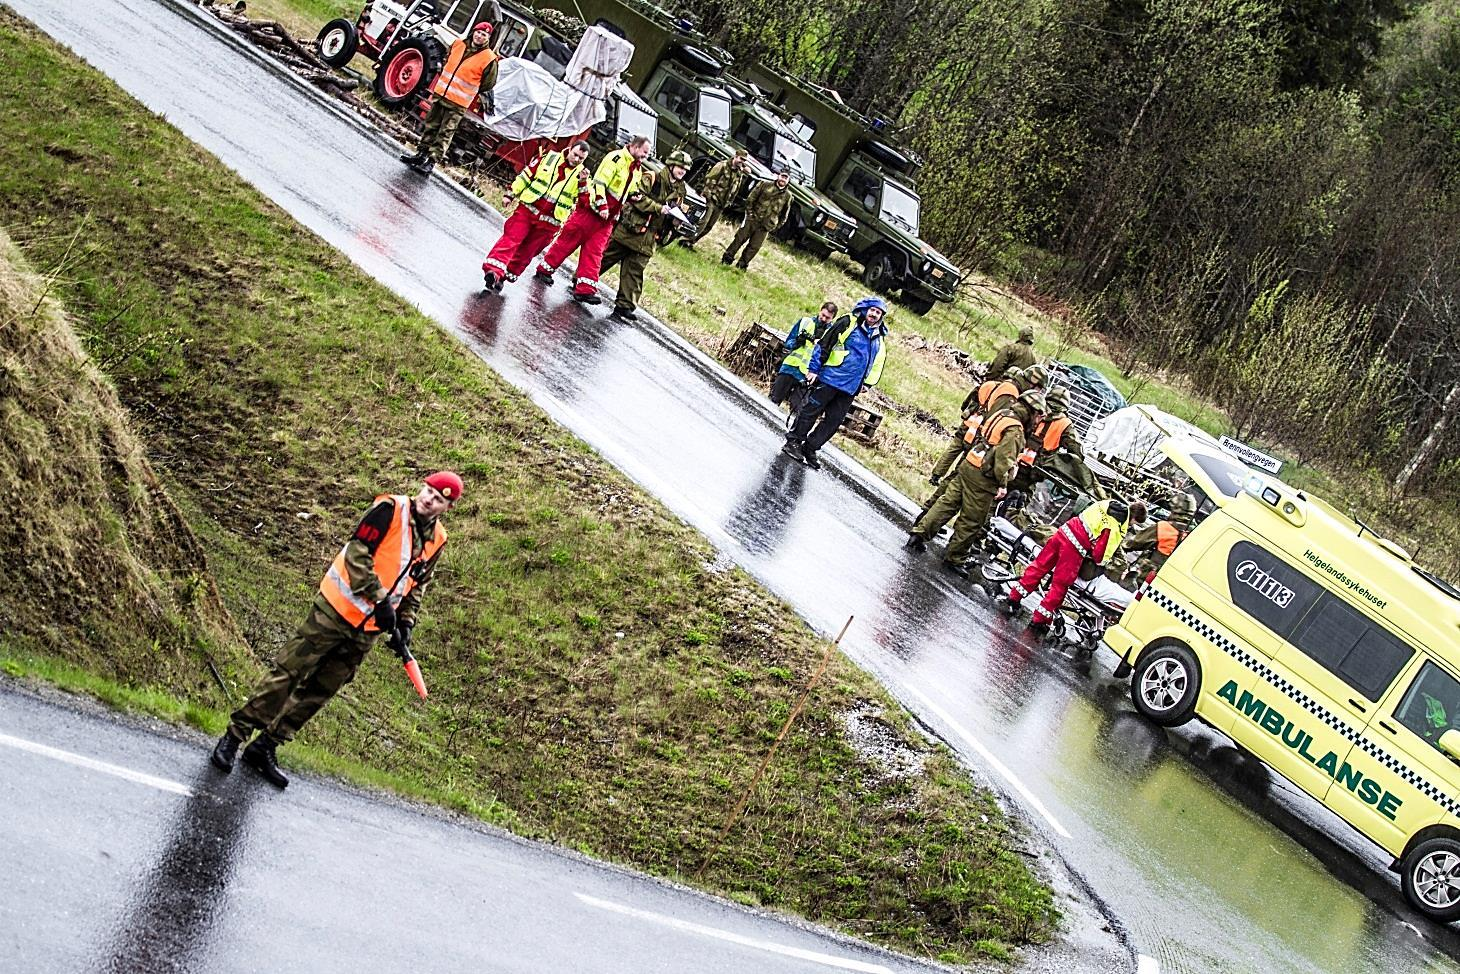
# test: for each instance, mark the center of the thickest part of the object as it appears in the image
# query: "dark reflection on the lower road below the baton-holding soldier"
(169, 925)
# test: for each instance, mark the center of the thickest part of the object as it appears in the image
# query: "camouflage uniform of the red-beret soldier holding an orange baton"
(326, 651)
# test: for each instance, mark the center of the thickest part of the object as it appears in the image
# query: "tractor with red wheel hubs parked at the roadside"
(408, 42)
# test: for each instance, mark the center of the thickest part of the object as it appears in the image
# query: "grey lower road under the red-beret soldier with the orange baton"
(180, 868)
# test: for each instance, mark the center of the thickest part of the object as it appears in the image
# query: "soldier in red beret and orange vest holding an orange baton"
(373, 586)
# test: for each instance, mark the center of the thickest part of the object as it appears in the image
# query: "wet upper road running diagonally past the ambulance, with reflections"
(1208, 862)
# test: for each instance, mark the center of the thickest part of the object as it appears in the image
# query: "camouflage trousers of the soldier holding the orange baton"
(315, 665)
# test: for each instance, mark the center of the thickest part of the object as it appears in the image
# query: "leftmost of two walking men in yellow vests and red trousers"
(547, 193)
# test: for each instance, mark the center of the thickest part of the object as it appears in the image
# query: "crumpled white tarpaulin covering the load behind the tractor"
(534, 104)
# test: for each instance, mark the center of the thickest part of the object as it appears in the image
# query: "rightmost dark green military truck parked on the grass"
(874, 182)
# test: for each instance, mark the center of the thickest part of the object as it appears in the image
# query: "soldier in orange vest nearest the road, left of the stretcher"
(972, 490)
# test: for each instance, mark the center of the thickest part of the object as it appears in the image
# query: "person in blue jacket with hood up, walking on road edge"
(849, 357)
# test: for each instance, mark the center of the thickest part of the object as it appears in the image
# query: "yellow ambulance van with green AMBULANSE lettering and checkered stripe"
(1322, 649)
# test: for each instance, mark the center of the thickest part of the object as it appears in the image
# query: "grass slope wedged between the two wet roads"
(593, 680)
